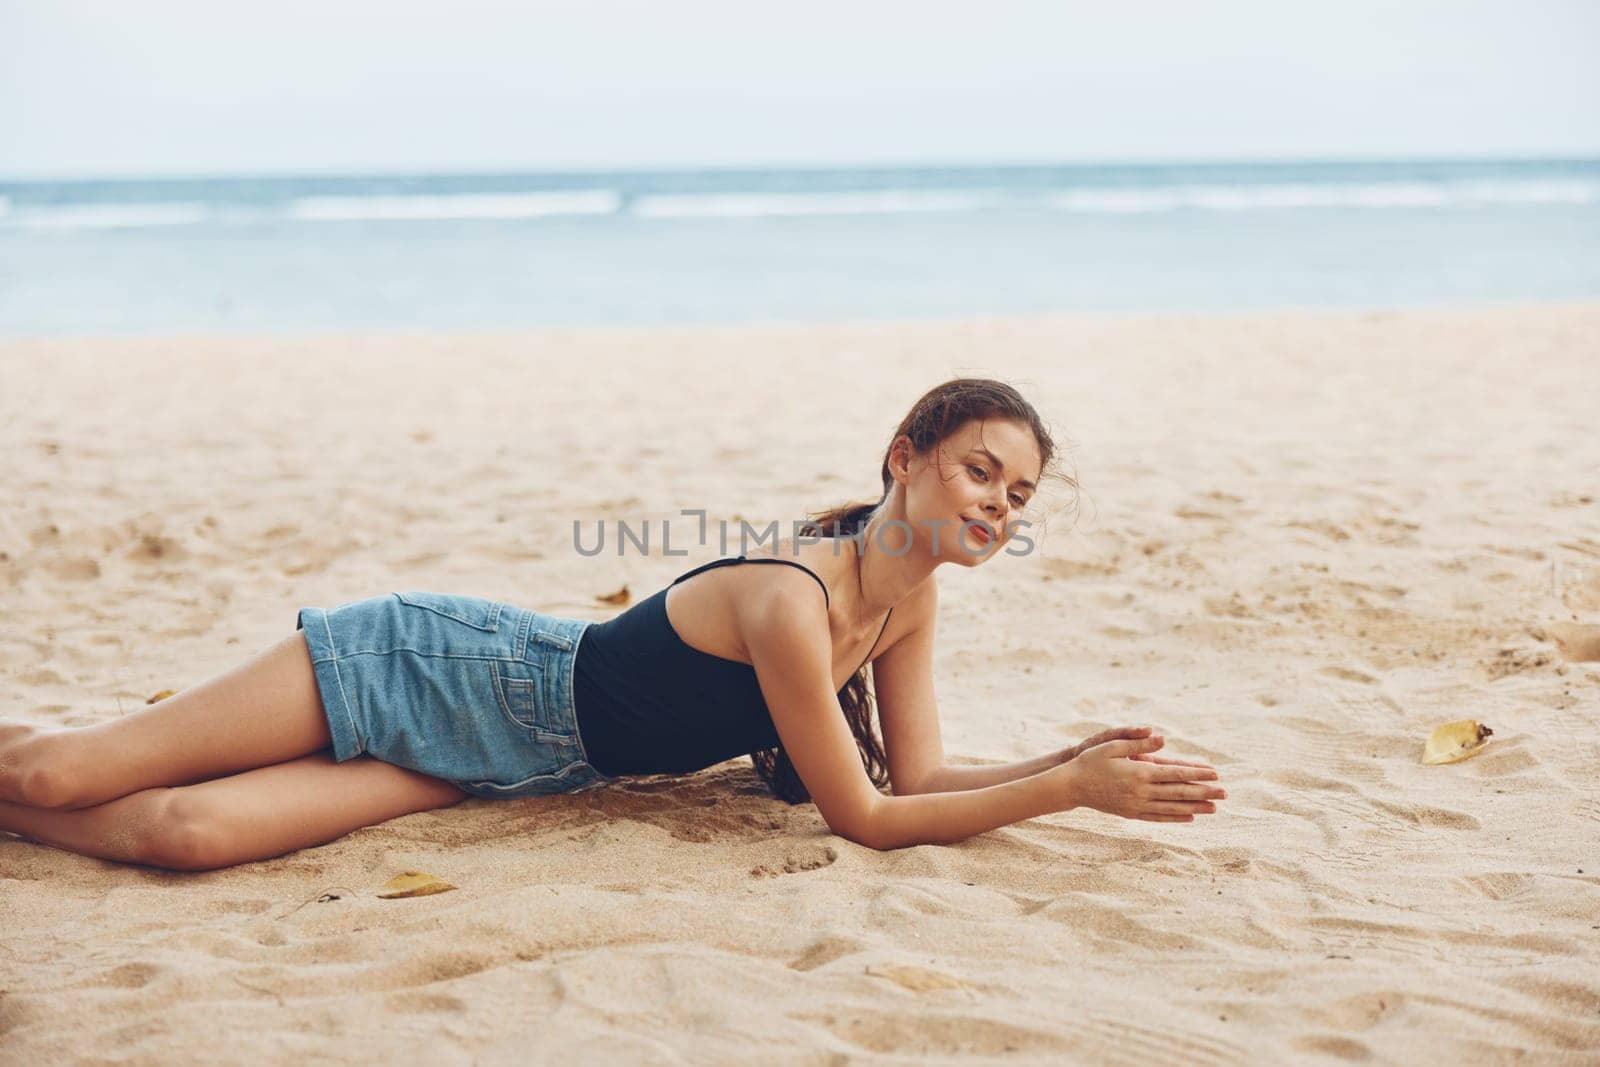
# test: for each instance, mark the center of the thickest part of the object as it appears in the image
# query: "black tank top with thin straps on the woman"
(650, 705)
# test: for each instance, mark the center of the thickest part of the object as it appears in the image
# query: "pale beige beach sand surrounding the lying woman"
(1305, 541)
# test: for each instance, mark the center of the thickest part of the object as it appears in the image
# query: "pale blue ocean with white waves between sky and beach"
(638, 249)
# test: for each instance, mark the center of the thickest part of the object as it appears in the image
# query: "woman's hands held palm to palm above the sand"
(1122, 778)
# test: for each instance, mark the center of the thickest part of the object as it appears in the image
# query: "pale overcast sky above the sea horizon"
(166, 87)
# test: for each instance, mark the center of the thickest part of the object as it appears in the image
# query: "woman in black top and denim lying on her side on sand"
(430, 698)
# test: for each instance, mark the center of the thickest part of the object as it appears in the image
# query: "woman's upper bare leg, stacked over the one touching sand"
(263, 713)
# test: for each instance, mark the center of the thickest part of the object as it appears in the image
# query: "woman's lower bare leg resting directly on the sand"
(241, 818)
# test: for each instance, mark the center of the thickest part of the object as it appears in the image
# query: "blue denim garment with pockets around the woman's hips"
(470, 690)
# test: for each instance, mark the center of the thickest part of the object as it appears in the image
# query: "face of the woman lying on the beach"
(977, 482)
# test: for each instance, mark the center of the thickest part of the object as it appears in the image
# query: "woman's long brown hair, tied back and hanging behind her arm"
(942, 412)
